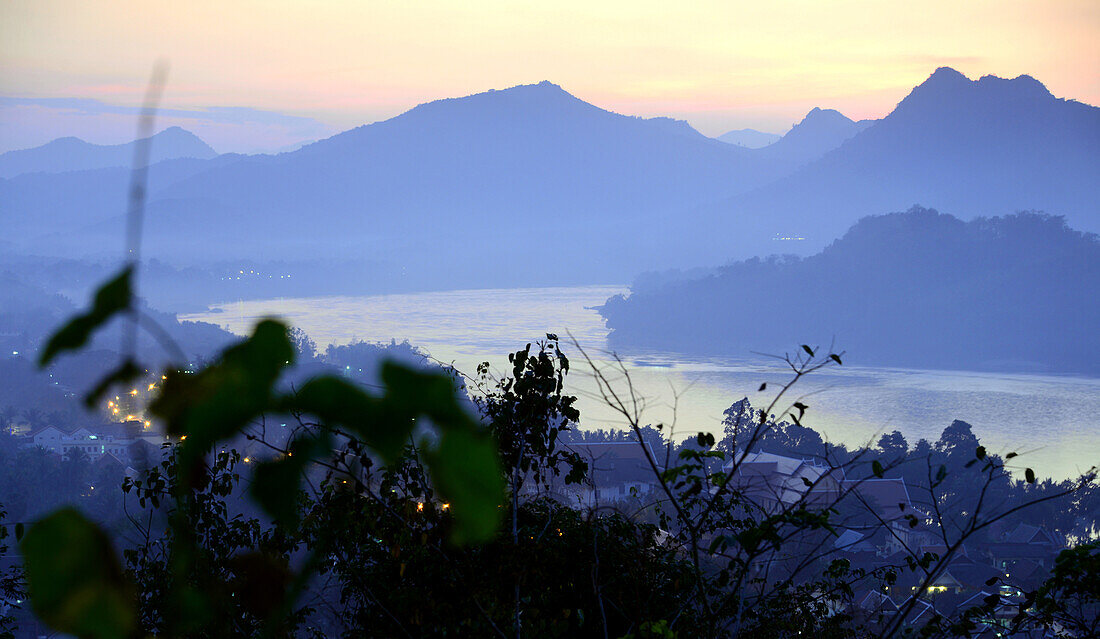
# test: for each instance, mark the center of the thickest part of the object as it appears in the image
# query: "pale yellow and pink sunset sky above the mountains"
(269, 75)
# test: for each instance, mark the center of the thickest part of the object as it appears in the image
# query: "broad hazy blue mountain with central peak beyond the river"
(523, 184)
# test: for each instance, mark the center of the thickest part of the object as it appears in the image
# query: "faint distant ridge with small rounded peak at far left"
(68, 155)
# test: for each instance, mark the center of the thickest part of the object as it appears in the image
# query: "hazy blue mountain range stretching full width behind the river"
(533, 186)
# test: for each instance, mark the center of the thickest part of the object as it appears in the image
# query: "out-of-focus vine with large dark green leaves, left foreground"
(75, 580)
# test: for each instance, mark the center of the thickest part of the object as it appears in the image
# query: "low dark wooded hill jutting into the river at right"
(920, 290)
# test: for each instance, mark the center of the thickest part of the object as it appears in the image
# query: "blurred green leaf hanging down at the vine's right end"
(467, 471)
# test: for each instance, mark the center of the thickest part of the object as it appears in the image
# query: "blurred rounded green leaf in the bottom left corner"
(74, 580)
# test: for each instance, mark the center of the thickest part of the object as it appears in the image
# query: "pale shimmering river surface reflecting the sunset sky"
(1051, 418)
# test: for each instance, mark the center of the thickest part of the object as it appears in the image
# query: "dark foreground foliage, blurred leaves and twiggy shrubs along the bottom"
(398, 532)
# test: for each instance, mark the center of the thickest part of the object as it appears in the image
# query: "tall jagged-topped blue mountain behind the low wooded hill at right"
(987, 147)
